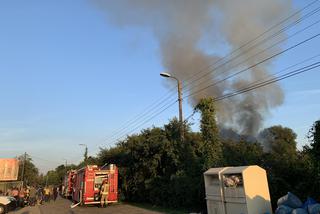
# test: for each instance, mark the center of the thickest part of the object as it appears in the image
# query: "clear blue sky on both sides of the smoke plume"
(68, 76)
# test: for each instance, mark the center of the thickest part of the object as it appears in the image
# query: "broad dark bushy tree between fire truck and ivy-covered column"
(155, 167)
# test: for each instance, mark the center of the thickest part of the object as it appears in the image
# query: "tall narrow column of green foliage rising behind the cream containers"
(211, 148)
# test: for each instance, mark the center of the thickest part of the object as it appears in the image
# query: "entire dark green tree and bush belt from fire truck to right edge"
(155, 167)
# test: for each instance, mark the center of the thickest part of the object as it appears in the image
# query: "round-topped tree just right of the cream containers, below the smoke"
(281, 161)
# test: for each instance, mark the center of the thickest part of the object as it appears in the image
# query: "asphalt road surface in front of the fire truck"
(63, 206)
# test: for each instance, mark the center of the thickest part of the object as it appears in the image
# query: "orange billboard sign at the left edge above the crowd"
(9, 169)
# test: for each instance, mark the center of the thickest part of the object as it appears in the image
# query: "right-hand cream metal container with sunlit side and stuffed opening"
(246, 190)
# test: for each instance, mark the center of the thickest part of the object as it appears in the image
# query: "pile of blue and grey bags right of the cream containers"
(291, 204)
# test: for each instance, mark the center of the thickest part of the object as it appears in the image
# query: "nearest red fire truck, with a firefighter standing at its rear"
(88, 180)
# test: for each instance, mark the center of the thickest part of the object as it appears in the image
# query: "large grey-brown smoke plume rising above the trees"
(193, 34)
